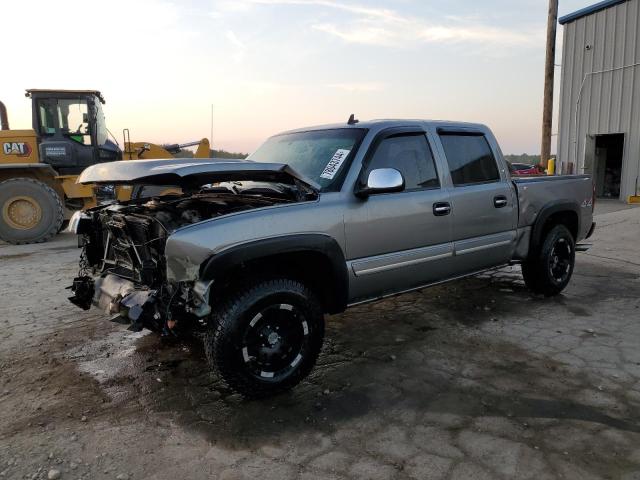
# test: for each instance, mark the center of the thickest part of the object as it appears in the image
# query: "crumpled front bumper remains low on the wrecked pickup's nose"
(141, 307)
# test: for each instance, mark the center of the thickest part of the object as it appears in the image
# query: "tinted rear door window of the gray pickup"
(470, 159)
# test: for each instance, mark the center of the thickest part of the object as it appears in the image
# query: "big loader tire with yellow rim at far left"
(30, 211)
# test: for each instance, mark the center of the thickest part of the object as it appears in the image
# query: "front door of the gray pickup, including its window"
(398, 241)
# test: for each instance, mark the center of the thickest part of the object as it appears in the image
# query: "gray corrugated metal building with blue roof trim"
(599, 131)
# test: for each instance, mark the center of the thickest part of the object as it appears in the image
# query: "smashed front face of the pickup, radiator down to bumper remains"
(123, 273)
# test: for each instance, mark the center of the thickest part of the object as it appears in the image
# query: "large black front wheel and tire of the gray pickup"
(234, 321)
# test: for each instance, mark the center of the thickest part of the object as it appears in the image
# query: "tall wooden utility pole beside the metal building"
(549, 70)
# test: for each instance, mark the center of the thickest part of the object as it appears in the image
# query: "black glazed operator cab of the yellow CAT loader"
(71, 129)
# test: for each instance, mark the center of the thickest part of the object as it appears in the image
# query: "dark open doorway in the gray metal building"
(603, 160)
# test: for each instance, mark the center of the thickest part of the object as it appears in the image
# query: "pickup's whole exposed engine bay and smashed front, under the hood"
(123, 264)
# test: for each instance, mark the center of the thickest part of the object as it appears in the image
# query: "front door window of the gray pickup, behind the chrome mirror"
(409, 154)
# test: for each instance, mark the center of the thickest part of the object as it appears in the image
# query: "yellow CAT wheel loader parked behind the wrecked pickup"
(39, 167)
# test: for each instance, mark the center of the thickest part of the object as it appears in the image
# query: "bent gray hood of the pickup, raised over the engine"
(189, 172)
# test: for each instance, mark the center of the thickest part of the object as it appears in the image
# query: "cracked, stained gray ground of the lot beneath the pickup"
(476, 379)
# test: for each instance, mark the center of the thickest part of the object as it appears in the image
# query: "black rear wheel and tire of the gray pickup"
(538, 271)
